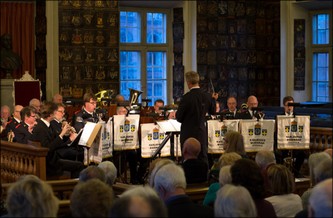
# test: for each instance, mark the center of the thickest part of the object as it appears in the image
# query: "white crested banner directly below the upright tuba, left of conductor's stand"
(126, 132)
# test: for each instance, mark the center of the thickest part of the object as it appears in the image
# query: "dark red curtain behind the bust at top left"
(17, 19)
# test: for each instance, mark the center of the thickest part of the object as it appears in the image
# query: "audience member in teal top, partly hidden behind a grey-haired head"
(224, 178)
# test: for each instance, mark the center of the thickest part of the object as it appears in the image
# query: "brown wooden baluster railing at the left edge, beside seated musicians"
(20, 159)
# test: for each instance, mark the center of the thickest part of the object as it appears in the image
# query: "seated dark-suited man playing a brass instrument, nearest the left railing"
(43, 133)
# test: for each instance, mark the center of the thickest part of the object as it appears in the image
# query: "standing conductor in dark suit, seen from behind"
(192, 111)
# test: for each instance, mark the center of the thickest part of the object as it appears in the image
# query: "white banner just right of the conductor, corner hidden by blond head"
(216, 131)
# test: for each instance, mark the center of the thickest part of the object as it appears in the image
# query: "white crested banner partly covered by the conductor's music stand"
(151, 138)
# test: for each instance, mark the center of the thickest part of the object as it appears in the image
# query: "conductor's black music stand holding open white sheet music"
(170, 127)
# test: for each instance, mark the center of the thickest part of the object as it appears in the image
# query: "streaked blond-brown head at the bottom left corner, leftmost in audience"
(31, 197)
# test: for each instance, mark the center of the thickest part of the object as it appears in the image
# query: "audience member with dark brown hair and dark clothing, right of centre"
(246, 172)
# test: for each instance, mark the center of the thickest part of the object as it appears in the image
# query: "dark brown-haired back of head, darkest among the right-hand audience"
(247, 173)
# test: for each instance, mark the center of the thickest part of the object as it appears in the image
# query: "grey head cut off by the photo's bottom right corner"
(320, 201)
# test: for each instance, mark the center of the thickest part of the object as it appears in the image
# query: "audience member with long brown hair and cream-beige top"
(282, 183)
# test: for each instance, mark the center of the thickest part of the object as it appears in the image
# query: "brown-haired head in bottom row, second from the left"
(92, 198)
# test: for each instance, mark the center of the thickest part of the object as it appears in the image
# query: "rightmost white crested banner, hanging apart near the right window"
(293, 132)
